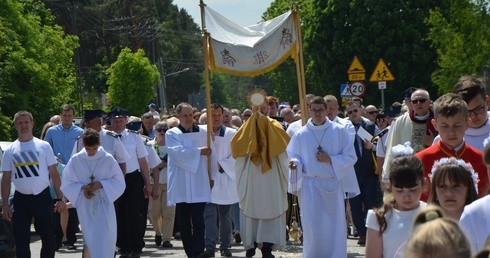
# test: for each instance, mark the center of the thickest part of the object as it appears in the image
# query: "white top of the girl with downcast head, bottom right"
(399, 226)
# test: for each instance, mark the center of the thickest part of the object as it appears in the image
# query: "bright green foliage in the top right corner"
(461, 36)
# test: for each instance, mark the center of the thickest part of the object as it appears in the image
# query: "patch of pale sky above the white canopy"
(242, 12)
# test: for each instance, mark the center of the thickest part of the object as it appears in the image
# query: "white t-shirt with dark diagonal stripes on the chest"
(29, 162)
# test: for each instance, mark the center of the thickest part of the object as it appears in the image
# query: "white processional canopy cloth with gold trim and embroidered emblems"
(250, 50)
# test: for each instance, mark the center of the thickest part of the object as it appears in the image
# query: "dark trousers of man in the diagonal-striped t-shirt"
(40, 207)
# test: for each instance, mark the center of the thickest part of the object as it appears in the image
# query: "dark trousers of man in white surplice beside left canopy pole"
(190, 217)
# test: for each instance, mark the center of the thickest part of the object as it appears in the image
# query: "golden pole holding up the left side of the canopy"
(205, 45)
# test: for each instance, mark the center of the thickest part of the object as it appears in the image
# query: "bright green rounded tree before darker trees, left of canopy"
(132, 80)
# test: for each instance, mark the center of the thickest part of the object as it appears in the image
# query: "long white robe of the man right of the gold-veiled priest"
(320, 184)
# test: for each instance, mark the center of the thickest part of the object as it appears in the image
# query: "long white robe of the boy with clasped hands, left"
(97, 215)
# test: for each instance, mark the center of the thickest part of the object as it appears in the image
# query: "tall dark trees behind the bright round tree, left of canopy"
(156, 26)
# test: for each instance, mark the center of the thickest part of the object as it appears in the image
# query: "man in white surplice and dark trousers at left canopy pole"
(189, 186)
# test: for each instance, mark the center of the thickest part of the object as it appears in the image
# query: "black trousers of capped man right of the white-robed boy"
(130, 221)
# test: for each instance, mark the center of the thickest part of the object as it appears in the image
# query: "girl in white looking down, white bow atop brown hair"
(388, 227)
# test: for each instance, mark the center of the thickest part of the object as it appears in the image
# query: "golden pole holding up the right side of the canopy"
(300, 70)
